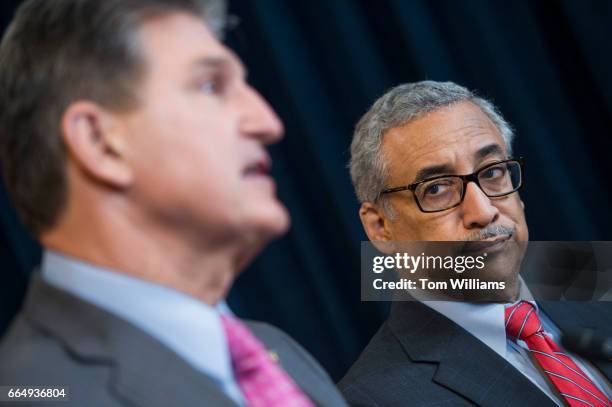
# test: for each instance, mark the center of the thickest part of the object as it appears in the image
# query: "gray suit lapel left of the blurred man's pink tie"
(142, 370)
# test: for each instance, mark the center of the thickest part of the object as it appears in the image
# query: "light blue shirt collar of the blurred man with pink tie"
(185, 325)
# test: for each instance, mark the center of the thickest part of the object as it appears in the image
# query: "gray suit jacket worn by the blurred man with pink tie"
(61, 340)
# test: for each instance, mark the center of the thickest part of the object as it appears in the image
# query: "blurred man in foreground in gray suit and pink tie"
(133, 148)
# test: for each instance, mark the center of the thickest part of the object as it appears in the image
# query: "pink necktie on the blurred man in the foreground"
(263, 382)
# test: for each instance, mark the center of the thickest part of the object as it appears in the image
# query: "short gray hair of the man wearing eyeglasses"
(398, 106)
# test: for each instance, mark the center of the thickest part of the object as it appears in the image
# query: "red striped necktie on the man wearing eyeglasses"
(574, 385)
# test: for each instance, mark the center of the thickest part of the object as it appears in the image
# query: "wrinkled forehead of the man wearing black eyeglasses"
(455, 139)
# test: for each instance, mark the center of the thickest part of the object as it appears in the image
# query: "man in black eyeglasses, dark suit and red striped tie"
(432, 161)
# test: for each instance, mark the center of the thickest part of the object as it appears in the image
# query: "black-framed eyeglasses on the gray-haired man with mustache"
(444, 192)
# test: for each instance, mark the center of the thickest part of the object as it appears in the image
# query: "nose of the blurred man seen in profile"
(258, 119)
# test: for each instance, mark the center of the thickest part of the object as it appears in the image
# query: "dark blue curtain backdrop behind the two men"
(321, 63)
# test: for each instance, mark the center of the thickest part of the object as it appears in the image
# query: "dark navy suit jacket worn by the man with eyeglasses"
(421, 358)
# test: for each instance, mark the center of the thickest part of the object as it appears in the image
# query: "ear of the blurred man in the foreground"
(95, 142)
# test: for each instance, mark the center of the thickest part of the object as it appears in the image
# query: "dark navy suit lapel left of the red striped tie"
(466, 365)
